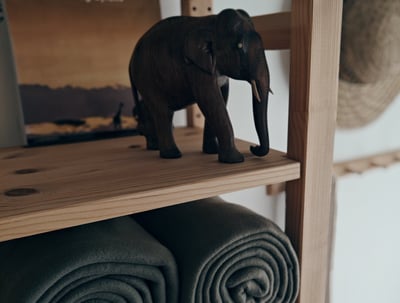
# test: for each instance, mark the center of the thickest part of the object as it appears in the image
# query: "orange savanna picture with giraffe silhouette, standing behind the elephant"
(72, 60)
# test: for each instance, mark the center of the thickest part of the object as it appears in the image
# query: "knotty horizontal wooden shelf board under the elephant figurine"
(72, 184)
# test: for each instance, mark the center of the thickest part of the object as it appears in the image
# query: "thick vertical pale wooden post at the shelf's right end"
(315, 39)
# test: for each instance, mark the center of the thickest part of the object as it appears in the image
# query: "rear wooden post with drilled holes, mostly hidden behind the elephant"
(195, 8)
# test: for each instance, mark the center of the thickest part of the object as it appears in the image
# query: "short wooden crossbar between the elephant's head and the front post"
(274, 30)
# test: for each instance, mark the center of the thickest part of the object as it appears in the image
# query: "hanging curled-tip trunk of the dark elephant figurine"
(260, 91)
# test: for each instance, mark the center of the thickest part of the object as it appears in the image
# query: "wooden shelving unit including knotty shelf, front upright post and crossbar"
(48, 188)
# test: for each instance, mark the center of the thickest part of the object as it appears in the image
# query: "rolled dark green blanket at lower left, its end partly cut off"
(110, 261)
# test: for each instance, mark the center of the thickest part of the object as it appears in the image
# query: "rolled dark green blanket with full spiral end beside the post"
(225, 252)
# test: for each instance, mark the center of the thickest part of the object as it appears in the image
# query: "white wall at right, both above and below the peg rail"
(366, 252)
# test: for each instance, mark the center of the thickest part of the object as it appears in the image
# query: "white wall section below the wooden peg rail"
(366, 261)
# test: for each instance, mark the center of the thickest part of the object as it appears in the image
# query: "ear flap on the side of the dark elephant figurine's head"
(198, 50)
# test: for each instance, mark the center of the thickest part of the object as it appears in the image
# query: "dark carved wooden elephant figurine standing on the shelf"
(182, 60)
